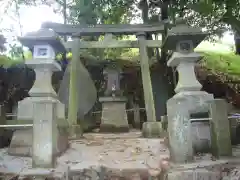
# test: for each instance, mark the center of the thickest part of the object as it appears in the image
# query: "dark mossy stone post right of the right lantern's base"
(220, 128)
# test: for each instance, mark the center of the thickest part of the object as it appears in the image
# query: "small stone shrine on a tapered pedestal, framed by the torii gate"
(114, 116)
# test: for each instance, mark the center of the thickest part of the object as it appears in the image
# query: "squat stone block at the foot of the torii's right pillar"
(152, 129)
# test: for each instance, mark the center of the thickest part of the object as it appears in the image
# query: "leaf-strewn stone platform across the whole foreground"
(124, 156)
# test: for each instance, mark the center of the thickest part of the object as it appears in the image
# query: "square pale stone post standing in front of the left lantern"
(45, 145)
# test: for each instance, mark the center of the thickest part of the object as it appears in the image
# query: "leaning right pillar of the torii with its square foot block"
(151, 128)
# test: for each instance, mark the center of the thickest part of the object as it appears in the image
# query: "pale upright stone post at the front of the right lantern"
(180, 141)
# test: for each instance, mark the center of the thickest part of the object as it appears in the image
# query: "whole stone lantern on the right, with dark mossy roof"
(189, 100)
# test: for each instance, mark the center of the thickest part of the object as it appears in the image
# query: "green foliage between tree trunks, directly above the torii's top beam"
(99, 11)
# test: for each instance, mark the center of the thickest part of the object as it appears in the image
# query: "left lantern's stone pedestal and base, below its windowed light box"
(47, 114)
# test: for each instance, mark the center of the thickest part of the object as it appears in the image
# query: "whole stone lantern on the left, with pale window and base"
(42, 108)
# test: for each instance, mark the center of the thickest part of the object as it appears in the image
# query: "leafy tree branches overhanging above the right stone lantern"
(215, 15)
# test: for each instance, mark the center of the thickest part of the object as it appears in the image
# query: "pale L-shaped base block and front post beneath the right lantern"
(179, 109)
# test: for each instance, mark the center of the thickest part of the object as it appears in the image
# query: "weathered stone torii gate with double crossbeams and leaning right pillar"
(151, 128)
